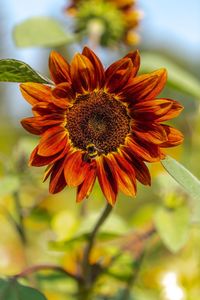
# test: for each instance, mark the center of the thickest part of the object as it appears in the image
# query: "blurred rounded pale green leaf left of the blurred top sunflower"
(40, 31)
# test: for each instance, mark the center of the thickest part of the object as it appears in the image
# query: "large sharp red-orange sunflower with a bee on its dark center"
(97, 123)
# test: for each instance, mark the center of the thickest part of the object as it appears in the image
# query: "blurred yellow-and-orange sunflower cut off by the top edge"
(113, 20)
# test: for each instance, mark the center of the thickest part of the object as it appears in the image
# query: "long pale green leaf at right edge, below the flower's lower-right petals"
(187, 180)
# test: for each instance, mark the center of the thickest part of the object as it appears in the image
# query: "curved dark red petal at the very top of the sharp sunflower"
(98, 67)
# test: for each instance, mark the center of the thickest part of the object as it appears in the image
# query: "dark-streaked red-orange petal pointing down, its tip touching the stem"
(107, 180)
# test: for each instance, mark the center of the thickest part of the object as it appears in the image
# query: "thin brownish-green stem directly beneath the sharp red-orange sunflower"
(87, 270)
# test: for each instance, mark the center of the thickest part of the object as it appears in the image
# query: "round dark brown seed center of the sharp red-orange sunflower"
(99, 119)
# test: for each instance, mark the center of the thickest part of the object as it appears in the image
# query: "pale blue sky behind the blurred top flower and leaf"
(171, 24)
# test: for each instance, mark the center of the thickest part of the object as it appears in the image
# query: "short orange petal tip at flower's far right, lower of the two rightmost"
(174, 137)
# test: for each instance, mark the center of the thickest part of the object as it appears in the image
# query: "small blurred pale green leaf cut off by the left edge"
(8, 185)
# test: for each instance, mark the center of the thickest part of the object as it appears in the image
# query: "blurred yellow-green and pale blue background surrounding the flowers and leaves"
(170, 28)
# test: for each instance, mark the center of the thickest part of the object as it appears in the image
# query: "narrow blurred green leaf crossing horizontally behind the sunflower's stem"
(64, 245)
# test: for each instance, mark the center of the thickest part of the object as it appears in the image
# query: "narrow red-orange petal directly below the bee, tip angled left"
(85, 188)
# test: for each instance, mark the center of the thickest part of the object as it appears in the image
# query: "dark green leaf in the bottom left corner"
(12, 290)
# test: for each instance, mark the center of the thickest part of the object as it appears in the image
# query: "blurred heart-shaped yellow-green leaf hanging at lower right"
(173, 226)
